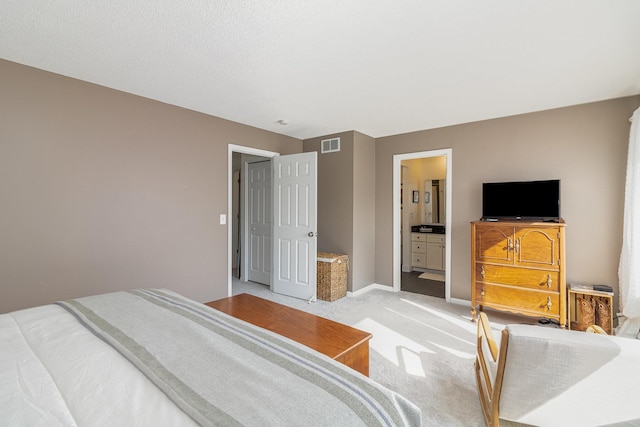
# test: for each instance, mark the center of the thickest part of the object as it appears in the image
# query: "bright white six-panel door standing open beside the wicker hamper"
(294, 225)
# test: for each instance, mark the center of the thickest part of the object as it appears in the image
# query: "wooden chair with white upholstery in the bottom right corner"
(551, 376)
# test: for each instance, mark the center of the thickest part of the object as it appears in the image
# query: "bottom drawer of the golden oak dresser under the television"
(519, 300)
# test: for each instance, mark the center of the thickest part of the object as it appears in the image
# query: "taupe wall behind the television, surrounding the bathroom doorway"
(585, 146)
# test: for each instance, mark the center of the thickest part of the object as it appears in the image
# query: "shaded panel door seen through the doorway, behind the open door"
(259, 222)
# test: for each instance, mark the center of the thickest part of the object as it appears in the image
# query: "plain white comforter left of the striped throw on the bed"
(48, 377)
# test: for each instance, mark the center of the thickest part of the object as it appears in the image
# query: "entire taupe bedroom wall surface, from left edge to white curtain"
(103, 190)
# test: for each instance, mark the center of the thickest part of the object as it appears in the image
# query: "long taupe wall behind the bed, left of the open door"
(103, 191)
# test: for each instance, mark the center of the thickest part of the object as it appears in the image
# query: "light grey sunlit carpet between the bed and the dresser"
(422, 347)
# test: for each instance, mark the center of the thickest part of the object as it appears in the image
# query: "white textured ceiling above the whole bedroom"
(375, 66)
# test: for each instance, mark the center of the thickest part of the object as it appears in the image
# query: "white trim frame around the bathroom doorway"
(397, 214)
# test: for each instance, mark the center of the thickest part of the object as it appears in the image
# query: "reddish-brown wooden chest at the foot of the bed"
(342, 343)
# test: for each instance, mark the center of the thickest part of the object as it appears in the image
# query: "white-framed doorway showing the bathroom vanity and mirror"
(422, 222)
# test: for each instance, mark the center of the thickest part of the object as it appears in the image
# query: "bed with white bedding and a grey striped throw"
(152, 357)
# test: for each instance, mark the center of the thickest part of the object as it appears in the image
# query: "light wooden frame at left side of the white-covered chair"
(489, 367)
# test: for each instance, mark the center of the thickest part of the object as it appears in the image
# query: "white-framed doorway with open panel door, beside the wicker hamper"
(285, 247)
